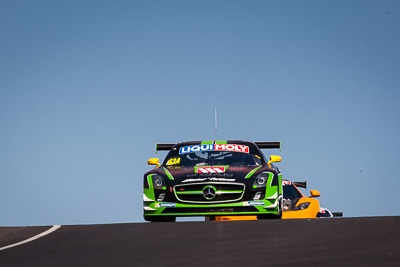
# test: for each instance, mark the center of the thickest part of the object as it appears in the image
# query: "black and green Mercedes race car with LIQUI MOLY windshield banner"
(210, 178)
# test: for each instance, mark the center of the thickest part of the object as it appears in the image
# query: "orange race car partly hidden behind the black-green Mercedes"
(294, 205)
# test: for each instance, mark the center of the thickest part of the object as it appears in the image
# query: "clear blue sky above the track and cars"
(88, 87)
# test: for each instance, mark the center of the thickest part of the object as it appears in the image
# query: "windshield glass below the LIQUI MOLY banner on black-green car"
(210, 158)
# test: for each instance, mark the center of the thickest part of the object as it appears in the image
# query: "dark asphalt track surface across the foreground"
(369, 241)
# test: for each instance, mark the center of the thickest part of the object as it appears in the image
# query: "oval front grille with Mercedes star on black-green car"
(220, 192)
